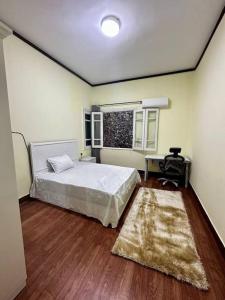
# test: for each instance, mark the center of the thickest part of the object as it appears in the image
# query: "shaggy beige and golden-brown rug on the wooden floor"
(157, 234)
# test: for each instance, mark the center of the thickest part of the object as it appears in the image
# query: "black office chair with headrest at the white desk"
(172, 167)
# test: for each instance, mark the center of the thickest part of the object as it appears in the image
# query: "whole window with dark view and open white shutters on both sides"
(125, 129)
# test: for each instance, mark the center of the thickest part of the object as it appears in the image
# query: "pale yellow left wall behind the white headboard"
(46, 102)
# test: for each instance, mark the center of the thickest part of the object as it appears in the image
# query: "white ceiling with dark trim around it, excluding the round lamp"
(156, 36)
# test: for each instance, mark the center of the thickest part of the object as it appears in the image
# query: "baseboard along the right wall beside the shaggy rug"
(209, 221)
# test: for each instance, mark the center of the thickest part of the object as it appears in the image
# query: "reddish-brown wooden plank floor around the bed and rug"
(68, 257)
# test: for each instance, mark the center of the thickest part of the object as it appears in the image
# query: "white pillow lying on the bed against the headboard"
(61, 163)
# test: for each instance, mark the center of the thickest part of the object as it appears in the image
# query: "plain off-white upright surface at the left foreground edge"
(12, 263)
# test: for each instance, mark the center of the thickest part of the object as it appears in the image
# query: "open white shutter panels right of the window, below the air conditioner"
(145, 128)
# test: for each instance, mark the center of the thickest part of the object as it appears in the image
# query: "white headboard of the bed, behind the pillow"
(40, 152)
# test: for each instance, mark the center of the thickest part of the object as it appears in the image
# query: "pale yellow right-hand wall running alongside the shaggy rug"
(208, 131)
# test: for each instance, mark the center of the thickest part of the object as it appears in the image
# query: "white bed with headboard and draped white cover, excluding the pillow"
(96, 190)
